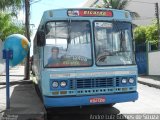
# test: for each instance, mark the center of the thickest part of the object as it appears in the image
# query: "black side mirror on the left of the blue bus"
(41, 40)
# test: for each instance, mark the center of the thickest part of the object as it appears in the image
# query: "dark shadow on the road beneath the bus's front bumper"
(100, 112)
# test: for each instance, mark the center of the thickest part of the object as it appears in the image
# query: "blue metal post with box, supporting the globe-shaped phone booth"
(7, 54)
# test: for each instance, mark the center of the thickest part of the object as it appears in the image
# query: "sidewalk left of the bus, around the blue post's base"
(24, 101)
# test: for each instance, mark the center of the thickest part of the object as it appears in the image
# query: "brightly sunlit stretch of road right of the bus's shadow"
(148, 102)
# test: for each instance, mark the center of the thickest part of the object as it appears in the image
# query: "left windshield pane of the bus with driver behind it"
(68, 44)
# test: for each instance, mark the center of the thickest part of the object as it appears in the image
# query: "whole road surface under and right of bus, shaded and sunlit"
(143, 108)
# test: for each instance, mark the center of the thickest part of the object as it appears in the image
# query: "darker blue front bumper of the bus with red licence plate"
(88, 100)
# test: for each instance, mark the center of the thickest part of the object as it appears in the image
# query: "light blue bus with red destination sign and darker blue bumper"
(85, 56)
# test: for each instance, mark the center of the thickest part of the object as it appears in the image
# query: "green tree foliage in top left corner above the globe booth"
(7, 24)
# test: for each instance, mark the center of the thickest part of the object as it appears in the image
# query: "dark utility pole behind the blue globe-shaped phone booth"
(27, 28)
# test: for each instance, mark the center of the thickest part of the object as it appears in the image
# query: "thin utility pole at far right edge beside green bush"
(157, 16)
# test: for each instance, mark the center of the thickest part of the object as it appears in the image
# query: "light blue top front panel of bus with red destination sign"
(85, 14)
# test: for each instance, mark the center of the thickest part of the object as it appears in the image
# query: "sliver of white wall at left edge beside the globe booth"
(2, 63)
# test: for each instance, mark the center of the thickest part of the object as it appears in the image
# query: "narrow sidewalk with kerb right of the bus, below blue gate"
(152, 81)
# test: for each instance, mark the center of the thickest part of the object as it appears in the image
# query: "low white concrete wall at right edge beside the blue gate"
(154, 63)
